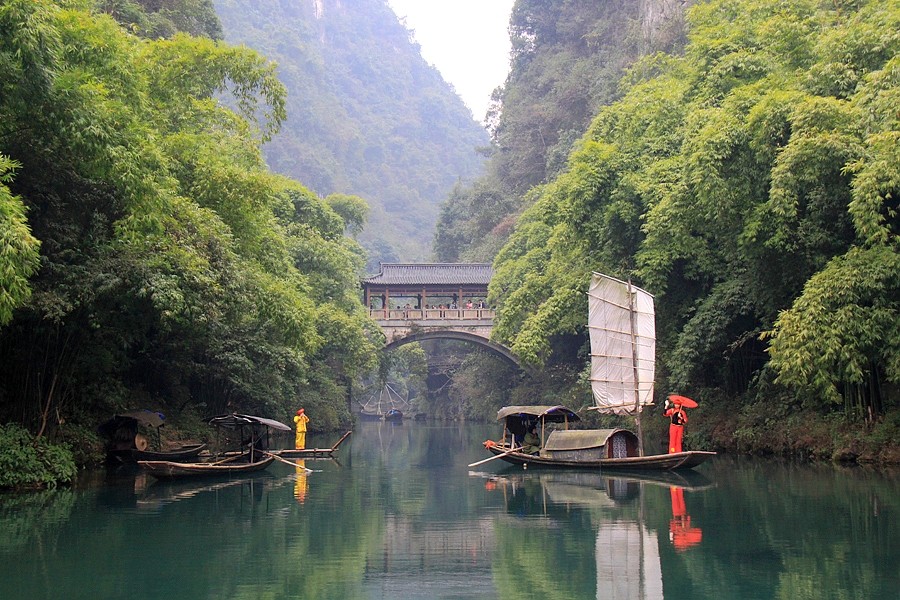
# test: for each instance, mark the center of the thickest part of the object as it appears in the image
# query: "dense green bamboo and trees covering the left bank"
(175, 269)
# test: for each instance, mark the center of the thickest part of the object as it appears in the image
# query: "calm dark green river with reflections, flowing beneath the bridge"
(400, 515)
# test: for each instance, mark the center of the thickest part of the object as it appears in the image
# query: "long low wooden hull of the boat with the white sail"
(655, 462)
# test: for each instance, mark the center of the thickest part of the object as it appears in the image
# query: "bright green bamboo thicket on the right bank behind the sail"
(750, 182)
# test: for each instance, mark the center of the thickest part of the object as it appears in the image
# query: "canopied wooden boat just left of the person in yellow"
(252, 458)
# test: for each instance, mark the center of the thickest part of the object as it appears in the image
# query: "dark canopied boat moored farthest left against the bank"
(126, 444)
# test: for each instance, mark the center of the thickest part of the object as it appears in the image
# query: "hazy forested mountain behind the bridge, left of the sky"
(366, 114)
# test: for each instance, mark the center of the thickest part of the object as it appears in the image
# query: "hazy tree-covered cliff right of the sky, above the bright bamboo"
(567, 59)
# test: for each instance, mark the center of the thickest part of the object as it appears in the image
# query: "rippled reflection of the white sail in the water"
(628, 566)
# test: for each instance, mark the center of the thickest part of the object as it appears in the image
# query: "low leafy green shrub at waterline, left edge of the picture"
(28, 462)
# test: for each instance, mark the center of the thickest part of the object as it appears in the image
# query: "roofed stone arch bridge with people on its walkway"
(417, 302)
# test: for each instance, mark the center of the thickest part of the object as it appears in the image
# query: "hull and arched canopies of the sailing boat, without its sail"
(578, 449)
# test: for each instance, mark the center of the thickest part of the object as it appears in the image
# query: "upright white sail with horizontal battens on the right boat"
(622, 329)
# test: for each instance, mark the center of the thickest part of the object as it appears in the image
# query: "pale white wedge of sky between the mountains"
(467, 40)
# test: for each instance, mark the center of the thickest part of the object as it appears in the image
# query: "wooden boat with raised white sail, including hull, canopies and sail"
(621, 322)
